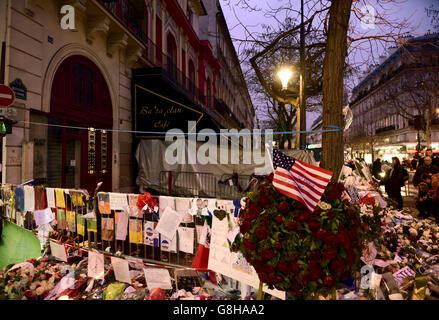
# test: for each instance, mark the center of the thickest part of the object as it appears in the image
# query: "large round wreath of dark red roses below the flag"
(295, 250)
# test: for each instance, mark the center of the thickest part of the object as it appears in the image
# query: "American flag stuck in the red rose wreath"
(299, 180)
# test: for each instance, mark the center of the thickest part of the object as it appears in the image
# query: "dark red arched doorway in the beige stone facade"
(78, 158)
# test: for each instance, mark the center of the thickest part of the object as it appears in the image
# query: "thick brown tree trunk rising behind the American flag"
(333, 67)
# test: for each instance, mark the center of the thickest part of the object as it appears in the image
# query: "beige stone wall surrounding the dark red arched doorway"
(36, 45)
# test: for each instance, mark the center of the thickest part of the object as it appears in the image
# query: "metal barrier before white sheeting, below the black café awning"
(199, 184)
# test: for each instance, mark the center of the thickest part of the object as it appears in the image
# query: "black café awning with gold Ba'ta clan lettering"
(160, 104)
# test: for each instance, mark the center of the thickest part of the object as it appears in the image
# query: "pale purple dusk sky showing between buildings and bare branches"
(412, 10)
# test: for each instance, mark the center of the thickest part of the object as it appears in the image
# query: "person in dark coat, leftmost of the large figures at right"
(394, 181)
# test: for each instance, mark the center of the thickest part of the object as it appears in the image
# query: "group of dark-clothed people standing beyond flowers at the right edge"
(425, 180)
